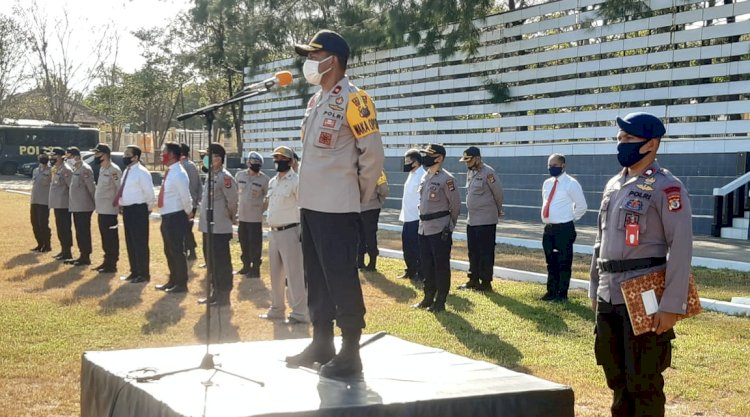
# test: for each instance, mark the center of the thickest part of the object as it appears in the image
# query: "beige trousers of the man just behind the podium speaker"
(285, 257)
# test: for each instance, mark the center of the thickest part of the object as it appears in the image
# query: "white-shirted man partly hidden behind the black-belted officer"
(409, 215)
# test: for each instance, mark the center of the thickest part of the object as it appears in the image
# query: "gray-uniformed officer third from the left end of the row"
(82, 190)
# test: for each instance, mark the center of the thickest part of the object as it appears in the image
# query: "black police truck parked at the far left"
(20, 144)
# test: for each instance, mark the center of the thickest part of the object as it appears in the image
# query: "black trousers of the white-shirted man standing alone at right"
(557, 242)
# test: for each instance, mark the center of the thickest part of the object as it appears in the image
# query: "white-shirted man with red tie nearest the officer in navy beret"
(563, 203)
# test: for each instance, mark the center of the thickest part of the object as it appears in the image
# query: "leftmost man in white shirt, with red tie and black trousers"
(136, 199)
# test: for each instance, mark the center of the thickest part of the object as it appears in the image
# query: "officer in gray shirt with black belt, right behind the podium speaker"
(439, 206)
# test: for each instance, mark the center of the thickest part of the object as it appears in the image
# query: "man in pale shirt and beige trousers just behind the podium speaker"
(284, 246)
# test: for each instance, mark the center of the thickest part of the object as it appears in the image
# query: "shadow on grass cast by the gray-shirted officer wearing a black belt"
(481, 343)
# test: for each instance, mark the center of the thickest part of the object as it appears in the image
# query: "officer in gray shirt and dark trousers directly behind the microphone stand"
(225, 199)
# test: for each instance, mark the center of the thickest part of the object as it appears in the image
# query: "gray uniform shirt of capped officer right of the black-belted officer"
(484, 196)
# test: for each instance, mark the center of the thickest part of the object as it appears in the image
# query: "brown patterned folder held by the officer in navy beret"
(633, 288)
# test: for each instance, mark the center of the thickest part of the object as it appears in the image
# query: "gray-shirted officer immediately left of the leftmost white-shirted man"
(106, 189)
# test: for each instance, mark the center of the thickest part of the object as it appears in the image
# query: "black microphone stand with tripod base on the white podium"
(208, 359)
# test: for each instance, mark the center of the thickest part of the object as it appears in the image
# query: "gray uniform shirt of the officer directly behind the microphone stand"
(225, 203)
